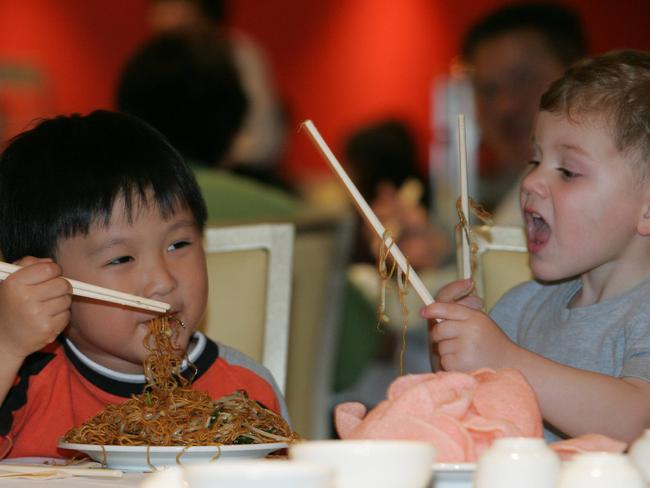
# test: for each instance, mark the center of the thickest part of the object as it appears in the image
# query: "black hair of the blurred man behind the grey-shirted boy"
(558, 25)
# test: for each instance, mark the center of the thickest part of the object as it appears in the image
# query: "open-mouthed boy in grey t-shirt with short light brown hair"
(580, 332)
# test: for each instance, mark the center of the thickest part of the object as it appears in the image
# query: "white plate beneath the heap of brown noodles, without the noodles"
(134, 458)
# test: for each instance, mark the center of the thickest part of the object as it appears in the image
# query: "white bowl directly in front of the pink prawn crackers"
(376, 463)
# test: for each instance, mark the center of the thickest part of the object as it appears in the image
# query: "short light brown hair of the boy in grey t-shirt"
(615, 86)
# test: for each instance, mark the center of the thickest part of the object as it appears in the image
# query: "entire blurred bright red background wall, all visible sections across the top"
(337, 62)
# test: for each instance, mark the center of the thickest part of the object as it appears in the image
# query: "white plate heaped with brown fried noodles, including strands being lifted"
(171, 423)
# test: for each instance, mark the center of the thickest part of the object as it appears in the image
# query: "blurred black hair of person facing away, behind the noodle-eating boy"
(187, 86)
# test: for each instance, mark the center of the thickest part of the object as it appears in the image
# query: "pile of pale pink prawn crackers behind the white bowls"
(461, 414)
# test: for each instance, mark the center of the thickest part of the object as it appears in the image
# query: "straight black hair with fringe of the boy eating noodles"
(63, 175)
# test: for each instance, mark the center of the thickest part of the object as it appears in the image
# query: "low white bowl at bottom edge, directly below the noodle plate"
(265, 473)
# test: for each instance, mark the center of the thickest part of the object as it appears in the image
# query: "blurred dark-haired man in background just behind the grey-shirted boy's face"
(513, 54)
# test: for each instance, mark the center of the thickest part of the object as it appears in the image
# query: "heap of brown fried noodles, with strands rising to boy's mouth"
(170, 413)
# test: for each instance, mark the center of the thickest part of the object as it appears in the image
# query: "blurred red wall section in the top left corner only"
(77, 45)
